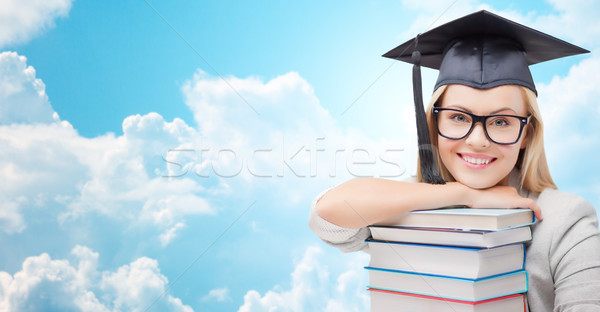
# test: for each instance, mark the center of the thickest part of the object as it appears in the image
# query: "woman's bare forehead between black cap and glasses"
(499, 99)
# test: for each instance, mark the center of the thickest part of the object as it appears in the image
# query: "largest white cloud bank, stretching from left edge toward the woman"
(153, 173)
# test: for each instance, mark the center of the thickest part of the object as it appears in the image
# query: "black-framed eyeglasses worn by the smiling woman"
(455, 124)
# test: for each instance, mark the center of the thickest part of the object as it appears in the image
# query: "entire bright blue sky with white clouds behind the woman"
(162, 156)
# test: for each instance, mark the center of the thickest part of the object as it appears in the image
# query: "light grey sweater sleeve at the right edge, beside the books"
(575, 260)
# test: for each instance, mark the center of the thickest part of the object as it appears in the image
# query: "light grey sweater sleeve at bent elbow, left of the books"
(346, 240)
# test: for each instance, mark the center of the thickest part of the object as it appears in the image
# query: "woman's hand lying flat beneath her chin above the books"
(501, 197)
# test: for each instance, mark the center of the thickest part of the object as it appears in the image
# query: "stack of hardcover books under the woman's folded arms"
(456, 260)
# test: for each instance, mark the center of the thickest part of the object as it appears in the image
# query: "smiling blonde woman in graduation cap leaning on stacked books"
(486, 134)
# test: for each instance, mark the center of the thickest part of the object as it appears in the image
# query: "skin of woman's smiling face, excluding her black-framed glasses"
(474, 160)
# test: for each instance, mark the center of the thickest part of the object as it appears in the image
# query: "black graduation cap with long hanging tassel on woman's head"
(481, 50)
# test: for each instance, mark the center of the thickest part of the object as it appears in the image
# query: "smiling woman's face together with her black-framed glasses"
(481, 146)
